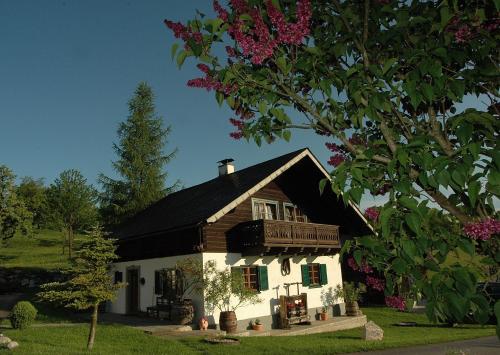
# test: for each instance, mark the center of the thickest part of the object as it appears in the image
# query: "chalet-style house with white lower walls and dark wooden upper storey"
(269, 220)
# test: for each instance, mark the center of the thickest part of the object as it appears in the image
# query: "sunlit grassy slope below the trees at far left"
(43, 250)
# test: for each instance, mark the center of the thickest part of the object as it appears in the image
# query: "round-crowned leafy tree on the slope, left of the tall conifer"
(73, 204)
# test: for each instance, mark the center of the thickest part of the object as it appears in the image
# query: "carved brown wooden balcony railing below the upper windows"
(276, 233)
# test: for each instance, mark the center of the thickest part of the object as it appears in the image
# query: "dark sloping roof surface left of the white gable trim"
(197, 203)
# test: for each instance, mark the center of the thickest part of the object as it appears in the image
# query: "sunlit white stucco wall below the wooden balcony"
(270, 298)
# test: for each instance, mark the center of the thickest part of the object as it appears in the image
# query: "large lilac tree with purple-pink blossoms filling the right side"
(383, 82)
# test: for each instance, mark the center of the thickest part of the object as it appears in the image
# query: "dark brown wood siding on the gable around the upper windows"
(216, 234)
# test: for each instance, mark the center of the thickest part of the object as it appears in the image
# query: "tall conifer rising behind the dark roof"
(141, 161)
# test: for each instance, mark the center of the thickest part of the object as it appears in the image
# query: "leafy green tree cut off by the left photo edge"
(14, 216)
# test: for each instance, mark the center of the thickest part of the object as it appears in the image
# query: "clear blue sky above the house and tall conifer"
(67, 70)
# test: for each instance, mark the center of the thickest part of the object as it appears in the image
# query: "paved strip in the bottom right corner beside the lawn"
(478, 346)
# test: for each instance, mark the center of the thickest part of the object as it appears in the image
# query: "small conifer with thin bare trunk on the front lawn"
(90, 281)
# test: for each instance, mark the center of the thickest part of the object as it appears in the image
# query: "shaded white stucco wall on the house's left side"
(147, 270)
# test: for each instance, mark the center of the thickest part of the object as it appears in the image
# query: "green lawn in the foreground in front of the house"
(118, 339)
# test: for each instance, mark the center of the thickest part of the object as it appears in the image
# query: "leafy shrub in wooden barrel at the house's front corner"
(224, 290)
